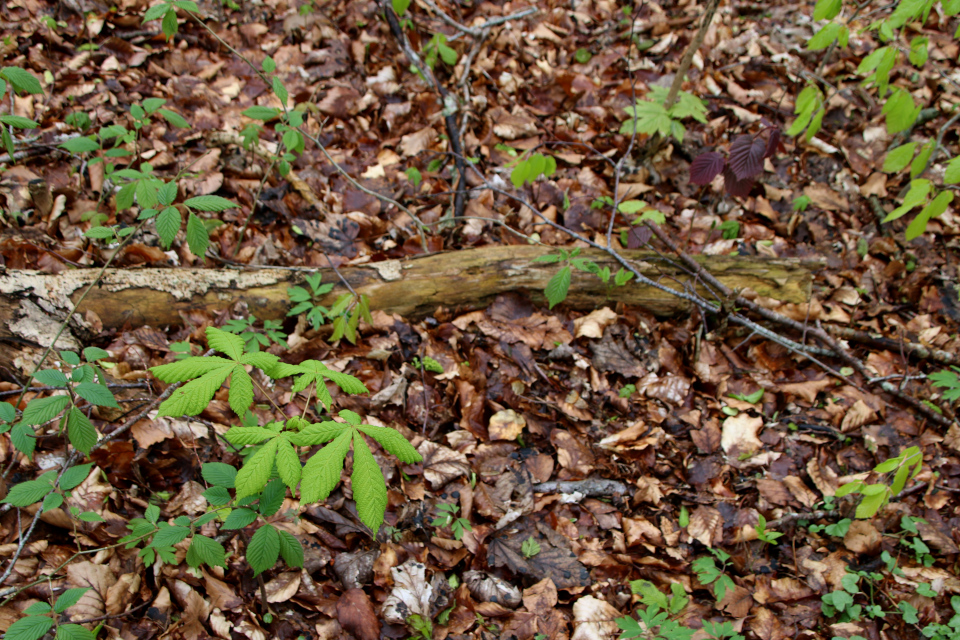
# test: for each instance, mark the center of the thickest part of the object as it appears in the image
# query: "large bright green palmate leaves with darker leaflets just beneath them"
(271, 455)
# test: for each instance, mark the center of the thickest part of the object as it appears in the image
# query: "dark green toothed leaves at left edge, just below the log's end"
(84, 385)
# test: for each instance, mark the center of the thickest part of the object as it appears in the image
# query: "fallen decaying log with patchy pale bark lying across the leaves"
(33, 304)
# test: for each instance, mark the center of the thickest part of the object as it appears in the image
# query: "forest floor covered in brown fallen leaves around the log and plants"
(699, 428)
